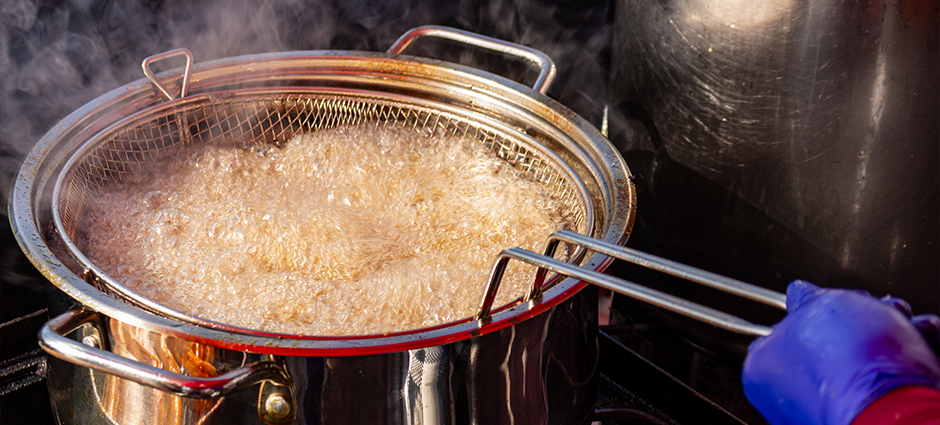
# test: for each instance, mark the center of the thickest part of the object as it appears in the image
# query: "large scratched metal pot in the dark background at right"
(811, 128)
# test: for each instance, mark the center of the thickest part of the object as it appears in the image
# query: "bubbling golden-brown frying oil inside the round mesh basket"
(363, 229)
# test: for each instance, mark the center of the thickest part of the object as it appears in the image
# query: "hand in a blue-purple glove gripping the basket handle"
(835, 353)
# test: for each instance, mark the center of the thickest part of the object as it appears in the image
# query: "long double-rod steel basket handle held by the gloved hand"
(642, 293)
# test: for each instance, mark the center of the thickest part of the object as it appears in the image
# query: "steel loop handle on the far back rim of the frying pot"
(538, 59)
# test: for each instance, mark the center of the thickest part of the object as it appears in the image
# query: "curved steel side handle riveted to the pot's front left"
(52, 339)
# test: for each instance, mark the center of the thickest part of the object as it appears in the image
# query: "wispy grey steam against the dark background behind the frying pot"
(56, 57)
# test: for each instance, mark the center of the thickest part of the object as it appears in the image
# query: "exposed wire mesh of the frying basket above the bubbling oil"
(273, 119)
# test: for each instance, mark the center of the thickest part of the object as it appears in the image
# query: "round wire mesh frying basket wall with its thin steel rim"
(269, 117)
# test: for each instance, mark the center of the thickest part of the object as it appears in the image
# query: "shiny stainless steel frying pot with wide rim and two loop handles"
(534, 361)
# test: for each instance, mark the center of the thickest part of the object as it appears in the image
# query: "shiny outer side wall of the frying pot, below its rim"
(543, 370)
